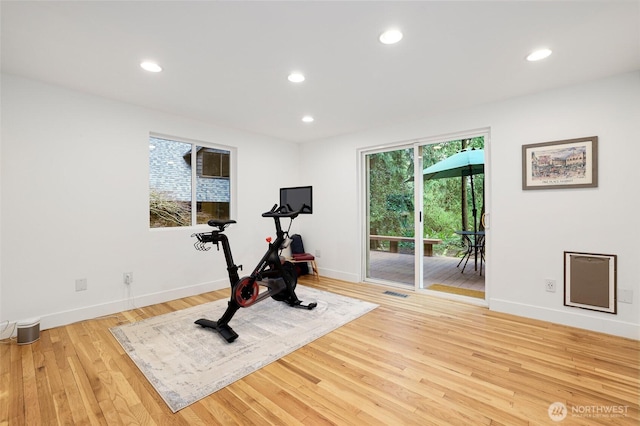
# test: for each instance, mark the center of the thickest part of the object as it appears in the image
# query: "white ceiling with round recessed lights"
(227, 62)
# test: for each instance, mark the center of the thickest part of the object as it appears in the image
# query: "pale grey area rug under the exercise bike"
(185, 362)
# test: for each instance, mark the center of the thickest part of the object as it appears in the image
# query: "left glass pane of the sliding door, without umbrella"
(391, 255)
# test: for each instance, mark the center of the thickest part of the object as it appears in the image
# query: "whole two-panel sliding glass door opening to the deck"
(417, 219)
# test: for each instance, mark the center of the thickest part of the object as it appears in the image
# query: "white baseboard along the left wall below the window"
(95, 311)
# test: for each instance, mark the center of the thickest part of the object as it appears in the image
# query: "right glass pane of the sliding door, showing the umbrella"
(453, 203)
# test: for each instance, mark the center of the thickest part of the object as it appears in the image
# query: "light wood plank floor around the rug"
(416, 360)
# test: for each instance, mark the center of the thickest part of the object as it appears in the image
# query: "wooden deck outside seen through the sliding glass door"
(399, 268)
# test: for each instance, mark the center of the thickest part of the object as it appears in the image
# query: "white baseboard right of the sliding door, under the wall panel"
(594, 322)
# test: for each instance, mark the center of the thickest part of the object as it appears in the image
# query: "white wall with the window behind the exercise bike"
(74, 196)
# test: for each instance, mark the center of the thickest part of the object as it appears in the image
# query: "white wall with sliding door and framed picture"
(529, 230)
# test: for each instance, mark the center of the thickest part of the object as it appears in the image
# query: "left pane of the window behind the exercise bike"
(169, 183)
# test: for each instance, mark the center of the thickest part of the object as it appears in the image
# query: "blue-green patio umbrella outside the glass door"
(464, 163)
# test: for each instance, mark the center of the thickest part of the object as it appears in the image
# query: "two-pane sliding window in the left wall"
(175, 186)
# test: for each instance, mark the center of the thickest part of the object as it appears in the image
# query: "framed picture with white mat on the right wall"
(571, 163)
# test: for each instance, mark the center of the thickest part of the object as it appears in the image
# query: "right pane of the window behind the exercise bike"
(212, 187)
